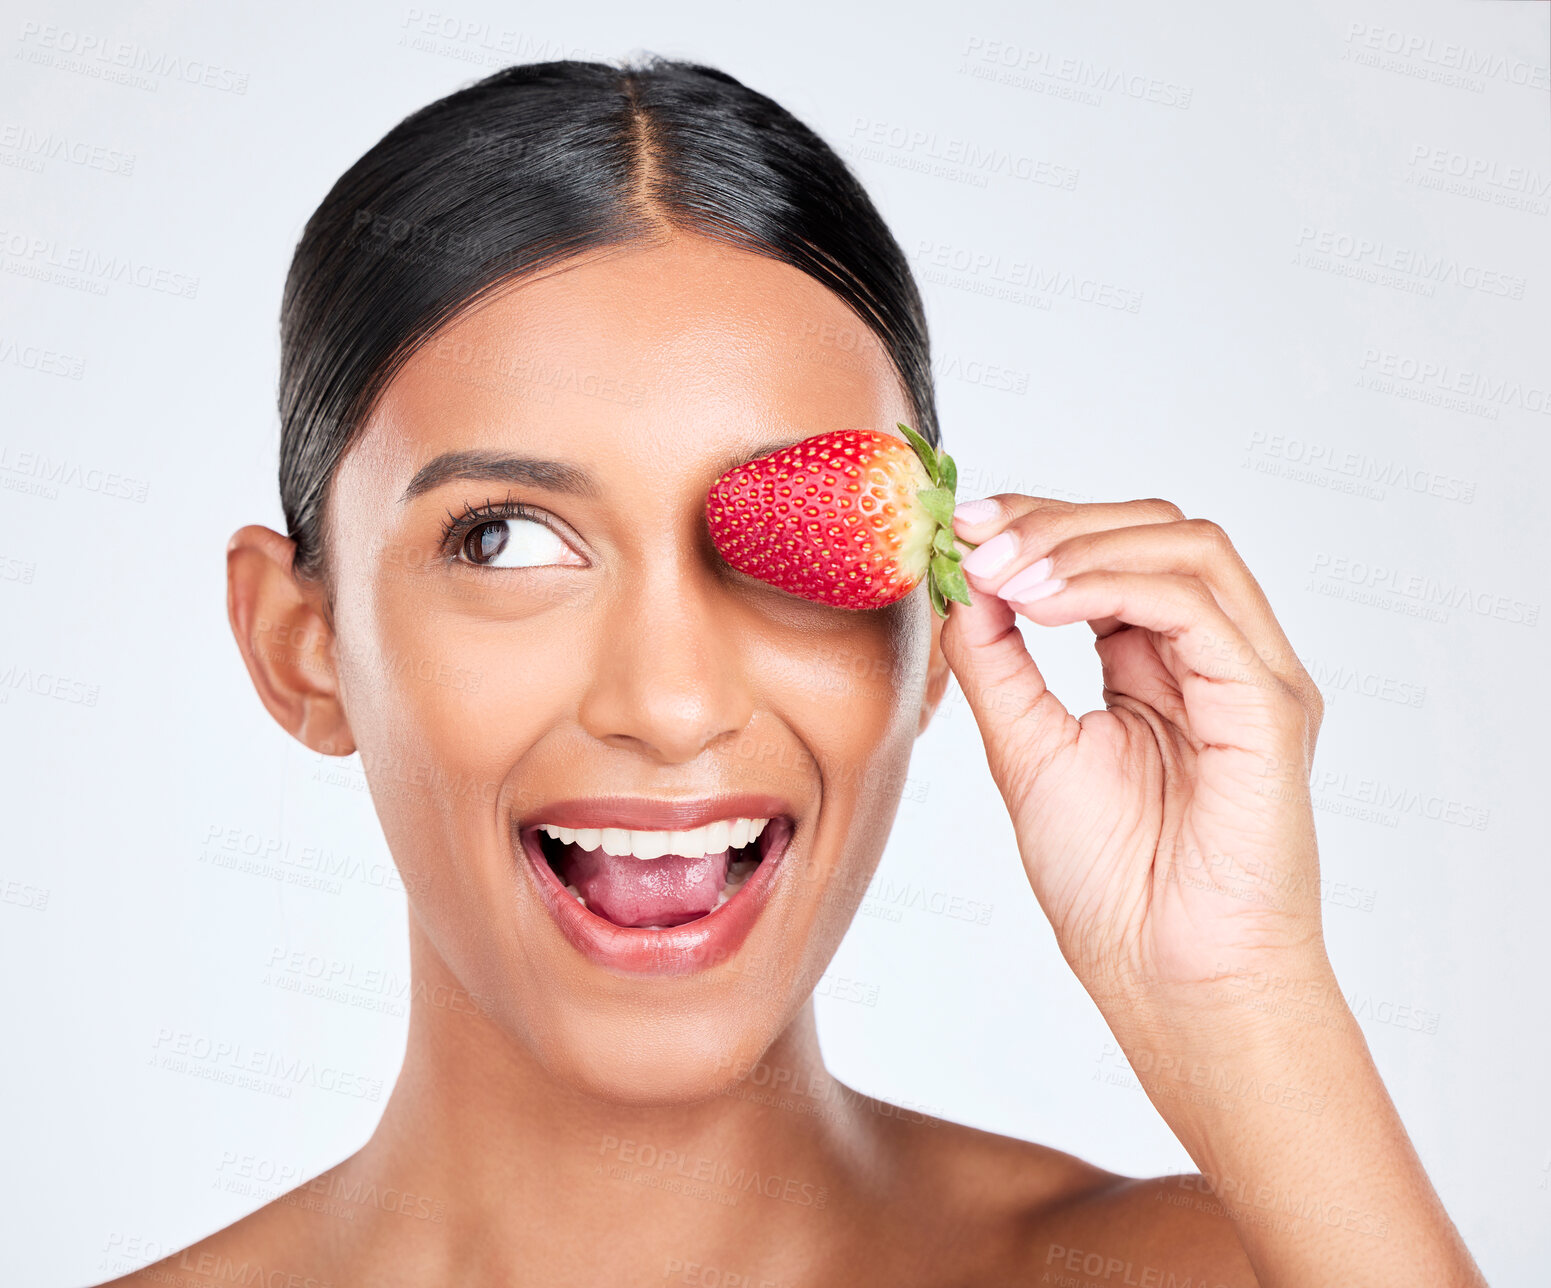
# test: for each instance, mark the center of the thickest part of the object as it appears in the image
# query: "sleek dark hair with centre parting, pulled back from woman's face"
(531, 167)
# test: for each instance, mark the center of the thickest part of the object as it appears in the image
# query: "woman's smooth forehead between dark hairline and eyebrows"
(685, 350)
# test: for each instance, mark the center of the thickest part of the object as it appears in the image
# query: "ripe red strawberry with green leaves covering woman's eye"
(854, 519)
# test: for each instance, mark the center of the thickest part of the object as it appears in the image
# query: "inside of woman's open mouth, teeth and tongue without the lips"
(660, 879)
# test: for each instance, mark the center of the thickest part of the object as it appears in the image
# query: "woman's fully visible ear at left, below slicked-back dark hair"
(286, 640)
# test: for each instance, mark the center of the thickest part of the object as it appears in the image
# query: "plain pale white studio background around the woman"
(1369, 423)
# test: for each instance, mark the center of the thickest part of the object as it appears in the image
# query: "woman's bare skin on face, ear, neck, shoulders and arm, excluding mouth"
(1169, 839)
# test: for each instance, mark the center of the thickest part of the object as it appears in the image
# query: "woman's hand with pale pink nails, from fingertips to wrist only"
(1169, 837)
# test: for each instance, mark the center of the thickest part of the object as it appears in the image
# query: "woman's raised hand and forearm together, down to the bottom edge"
(1170, 840)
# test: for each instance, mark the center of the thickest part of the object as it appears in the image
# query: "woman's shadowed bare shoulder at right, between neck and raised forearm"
(1014, 1213)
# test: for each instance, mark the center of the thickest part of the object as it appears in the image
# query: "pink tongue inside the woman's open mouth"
(646, 892)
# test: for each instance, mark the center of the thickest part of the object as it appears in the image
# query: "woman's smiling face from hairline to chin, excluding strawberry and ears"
(536, 642)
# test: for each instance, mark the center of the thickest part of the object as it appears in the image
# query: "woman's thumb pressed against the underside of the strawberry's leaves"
(1023, 724)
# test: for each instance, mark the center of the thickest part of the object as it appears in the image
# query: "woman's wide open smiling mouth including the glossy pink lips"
(665, 887)
